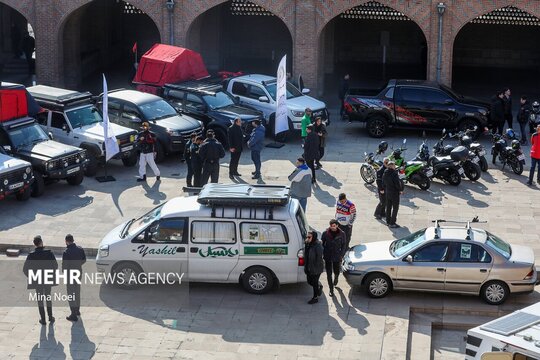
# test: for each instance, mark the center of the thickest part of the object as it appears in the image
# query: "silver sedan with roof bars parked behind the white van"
(443, 259)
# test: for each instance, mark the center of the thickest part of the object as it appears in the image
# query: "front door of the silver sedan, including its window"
(426, 270)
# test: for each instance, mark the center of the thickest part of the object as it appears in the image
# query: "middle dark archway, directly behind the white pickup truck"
(238, 35)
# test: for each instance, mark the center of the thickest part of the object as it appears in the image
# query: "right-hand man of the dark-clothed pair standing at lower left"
(73, 259)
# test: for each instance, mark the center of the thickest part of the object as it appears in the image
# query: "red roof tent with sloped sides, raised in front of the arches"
(168, 64)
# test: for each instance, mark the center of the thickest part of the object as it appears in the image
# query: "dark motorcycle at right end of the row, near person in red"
(508, 155)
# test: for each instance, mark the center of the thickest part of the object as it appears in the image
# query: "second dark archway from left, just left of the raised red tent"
(99, 38)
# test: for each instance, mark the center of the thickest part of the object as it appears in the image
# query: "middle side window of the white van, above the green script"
(213, 232)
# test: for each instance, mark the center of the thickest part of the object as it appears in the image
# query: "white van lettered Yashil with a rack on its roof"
(230, 233)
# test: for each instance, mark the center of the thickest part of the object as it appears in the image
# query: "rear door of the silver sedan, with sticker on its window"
(468, 267)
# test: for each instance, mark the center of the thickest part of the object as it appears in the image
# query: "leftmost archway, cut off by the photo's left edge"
(17, 46)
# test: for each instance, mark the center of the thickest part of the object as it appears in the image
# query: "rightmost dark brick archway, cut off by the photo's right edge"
(496, 50)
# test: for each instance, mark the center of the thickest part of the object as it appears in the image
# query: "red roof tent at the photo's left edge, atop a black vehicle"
(16, 102)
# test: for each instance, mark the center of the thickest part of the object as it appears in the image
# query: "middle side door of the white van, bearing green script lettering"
(213, 250)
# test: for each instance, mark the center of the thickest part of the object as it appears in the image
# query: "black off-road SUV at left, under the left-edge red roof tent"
(51, 160)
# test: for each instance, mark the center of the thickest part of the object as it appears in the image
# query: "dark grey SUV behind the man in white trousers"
(130, 108)
